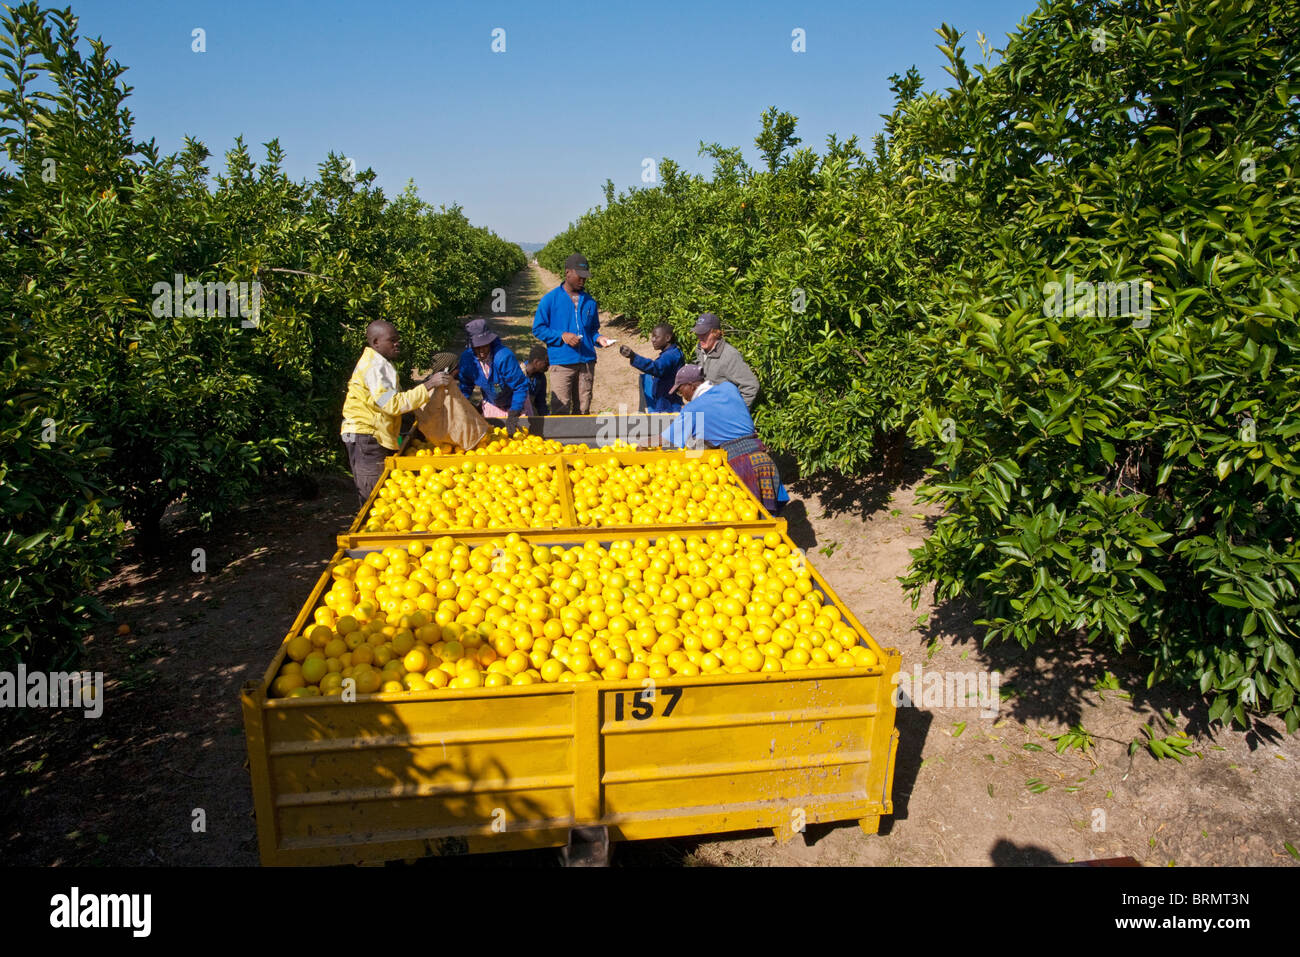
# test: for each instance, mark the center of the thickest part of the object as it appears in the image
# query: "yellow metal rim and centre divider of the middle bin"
(562, 464)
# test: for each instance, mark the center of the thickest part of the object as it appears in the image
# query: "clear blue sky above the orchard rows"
(522, 140)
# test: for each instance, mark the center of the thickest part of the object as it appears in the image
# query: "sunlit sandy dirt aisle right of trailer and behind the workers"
(960, 783)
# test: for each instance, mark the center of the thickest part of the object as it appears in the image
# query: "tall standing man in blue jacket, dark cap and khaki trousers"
(569, 322)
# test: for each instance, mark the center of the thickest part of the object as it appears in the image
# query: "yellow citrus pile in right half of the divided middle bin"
(657, 493)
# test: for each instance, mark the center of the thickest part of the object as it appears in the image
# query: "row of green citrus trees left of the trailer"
(198, 401)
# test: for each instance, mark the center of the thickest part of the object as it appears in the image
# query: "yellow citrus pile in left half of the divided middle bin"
(470, 496)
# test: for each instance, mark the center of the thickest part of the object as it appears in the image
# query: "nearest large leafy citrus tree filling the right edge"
(1110, 479)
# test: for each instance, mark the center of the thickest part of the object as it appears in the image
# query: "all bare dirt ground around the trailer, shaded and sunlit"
(161, 777)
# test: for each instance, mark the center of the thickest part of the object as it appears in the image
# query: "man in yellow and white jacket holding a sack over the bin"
(374, 409)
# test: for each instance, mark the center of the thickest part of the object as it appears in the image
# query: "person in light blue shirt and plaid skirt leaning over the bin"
(716, 415)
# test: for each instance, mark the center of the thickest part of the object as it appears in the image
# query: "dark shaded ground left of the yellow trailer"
(120, 790)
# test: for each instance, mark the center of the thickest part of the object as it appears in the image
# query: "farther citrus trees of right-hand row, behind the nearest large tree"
(811, 263)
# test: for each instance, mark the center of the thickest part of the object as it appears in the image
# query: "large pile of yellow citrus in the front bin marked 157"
(509, 613)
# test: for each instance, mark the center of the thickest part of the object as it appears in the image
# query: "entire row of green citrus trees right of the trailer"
(1120, 478)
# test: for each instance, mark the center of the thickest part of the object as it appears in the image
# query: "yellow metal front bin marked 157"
(389, 777)
